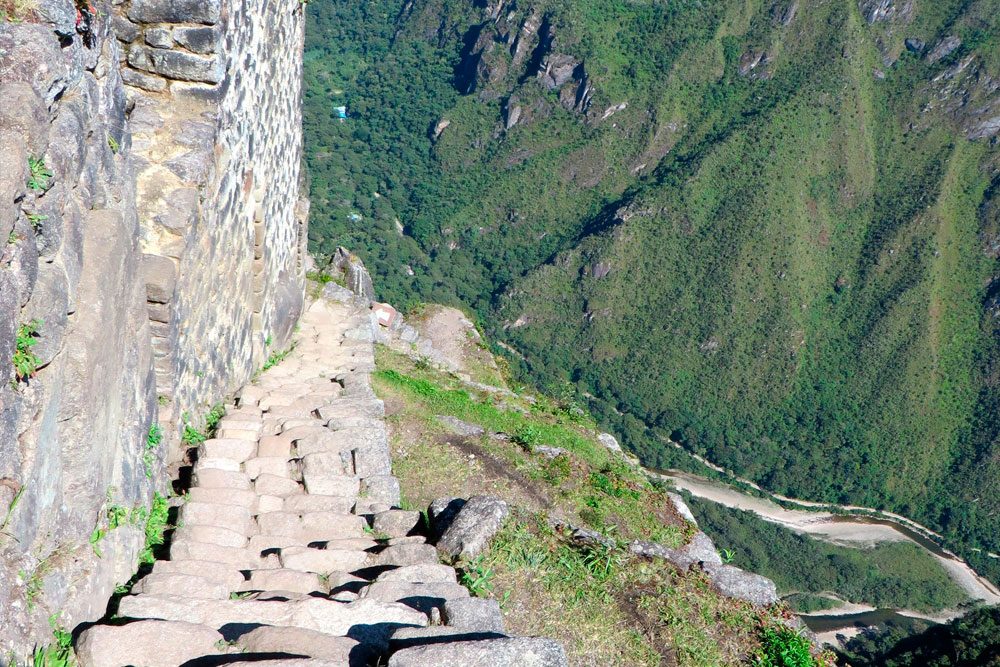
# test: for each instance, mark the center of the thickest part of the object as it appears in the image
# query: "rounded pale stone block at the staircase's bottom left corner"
(147, 643)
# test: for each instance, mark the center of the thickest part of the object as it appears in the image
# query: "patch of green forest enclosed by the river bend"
(897, 575)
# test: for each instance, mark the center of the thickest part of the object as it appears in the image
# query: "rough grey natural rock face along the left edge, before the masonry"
(73, 427)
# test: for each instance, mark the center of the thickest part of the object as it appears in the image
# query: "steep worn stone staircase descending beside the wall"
(290, 548)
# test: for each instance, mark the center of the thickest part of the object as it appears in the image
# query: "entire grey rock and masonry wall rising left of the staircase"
(149, 155)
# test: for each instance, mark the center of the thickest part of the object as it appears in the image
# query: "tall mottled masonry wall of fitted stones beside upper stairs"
(216, 87)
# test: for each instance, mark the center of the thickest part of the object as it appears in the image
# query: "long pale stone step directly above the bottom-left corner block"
(327, 616)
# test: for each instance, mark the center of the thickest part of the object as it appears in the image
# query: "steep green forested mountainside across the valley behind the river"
(767, 230)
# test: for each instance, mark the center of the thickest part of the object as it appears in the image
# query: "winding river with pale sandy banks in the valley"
(844, 530)
